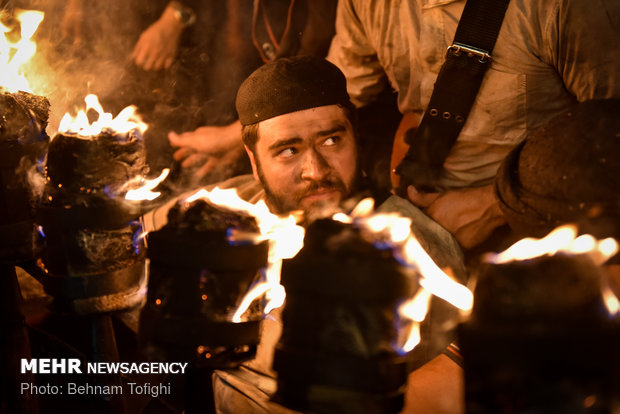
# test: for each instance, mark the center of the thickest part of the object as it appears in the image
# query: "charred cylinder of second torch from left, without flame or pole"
(94, 252)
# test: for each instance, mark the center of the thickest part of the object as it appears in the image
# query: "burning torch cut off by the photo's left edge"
(23, 141)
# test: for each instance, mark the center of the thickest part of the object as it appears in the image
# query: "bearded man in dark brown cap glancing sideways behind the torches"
(299, 133)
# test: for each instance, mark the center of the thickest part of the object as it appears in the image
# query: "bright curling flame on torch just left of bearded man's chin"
(285, 240)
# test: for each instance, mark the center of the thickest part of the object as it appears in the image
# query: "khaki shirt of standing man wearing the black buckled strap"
(548, 55)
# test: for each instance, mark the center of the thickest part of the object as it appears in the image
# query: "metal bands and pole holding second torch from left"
(69, 290)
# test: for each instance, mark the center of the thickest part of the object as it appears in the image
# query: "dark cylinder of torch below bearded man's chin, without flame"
(338, 351)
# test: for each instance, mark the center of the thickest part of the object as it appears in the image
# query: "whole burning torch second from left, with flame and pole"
(92, 259)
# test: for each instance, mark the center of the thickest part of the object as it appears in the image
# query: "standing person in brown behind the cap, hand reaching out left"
(255, 33)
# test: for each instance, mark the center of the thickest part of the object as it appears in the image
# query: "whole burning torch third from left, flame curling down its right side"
(214, 274)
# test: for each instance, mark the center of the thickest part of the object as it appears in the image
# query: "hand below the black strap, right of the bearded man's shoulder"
(470, 214)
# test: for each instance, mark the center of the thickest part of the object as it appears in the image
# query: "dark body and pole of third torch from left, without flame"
(196, 280)
